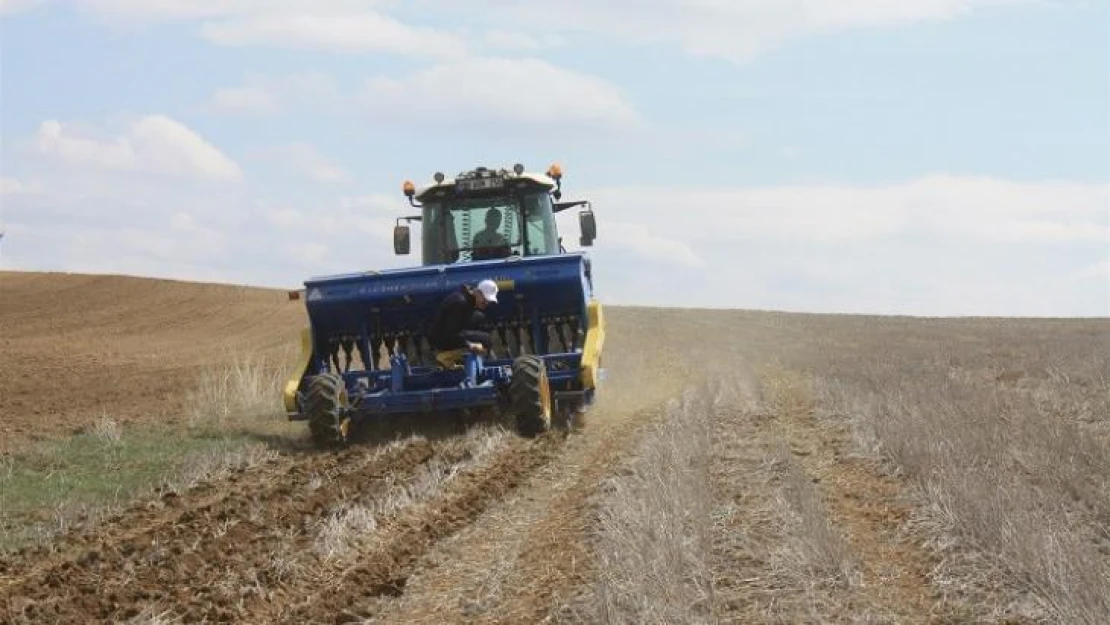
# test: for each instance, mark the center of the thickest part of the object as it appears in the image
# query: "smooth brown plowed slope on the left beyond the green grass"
(75, 348)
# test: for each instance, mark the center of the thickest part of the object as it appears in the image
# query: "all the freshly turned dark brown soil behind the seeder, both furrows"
(219, 557)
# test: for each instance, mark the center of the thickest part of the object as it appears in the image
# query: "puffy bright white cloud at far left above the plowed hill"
(153, 145)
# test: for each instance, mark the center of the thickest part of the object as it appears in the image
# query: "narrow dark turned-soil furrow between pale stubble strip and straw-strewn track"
(356, 592)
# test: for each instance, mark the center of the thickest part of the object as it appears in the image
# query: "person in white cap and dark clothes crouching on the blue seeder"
(456, 326)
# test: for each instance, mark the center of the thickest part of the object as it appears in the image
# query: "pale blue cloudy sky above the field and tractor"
(940, 158)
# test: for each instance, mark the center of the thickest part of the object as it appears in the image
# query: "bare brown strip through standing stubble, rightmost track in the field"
(850, 533)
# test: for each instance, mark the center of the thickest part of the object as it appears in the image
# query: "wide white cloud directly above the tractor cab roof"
(488, 90)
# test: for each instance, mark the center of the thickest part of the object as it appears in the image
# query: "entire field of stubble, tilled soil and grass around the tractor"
(740, 468)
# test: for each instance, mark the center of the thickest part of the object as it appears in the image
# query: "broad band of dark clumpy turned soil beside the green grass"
(213, 560)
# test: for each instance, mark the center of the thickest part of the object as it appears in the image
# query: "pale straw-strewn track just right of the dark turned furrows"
(527, 559)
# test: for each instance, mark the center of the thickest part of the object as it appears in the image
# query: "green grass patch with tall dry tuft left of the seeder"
(236, 415)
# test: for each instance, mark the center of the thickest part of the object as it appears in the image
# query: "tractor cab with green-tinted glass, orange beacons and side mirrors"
(489, 215)
